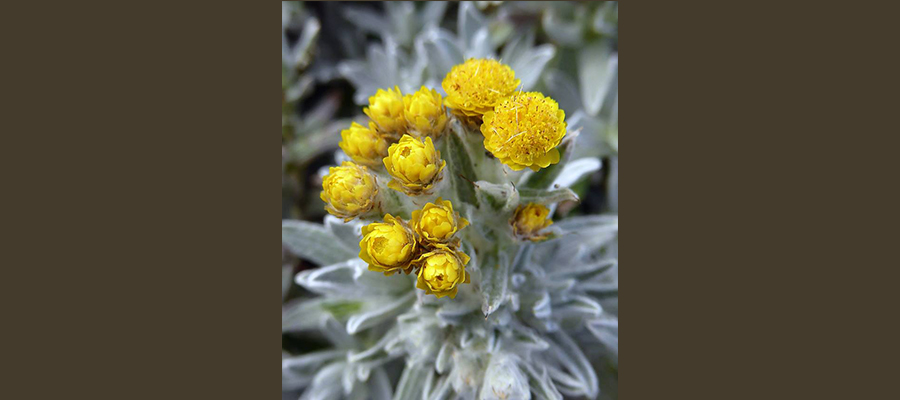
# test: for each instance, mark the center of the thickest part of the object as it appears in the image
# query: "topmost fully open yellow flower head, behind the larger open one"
(476, 86)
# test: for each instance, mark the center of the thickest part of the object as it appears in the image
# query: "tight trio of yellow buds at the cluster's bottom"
(425, 244)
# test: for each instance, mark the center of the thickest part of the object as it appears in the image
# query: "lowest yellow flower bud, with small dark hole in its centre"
(441, 271)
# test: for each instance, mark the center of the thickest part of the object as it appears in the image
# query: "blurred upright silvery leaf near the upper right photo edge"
(597, 66)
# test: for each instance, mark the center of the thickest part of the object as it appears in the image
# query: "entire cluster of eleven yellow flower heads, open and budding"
(520, 129)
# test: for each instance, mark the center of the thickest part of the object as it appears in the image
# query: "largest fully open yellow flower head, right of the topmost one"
(524, 130)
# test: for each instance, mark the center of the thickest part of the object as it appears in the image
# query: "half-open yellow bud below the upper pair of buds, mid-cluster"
(415, 165)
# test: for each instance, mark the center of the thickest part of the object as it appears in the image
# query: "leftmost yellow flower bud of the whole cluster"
(348, 191)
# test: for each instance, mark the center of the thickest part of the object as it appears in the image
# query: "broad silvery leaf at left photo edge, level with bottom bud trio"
(314, 242)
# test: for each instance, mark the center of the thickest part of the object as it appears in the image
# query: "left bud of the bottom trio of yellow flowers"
(388, 246)
